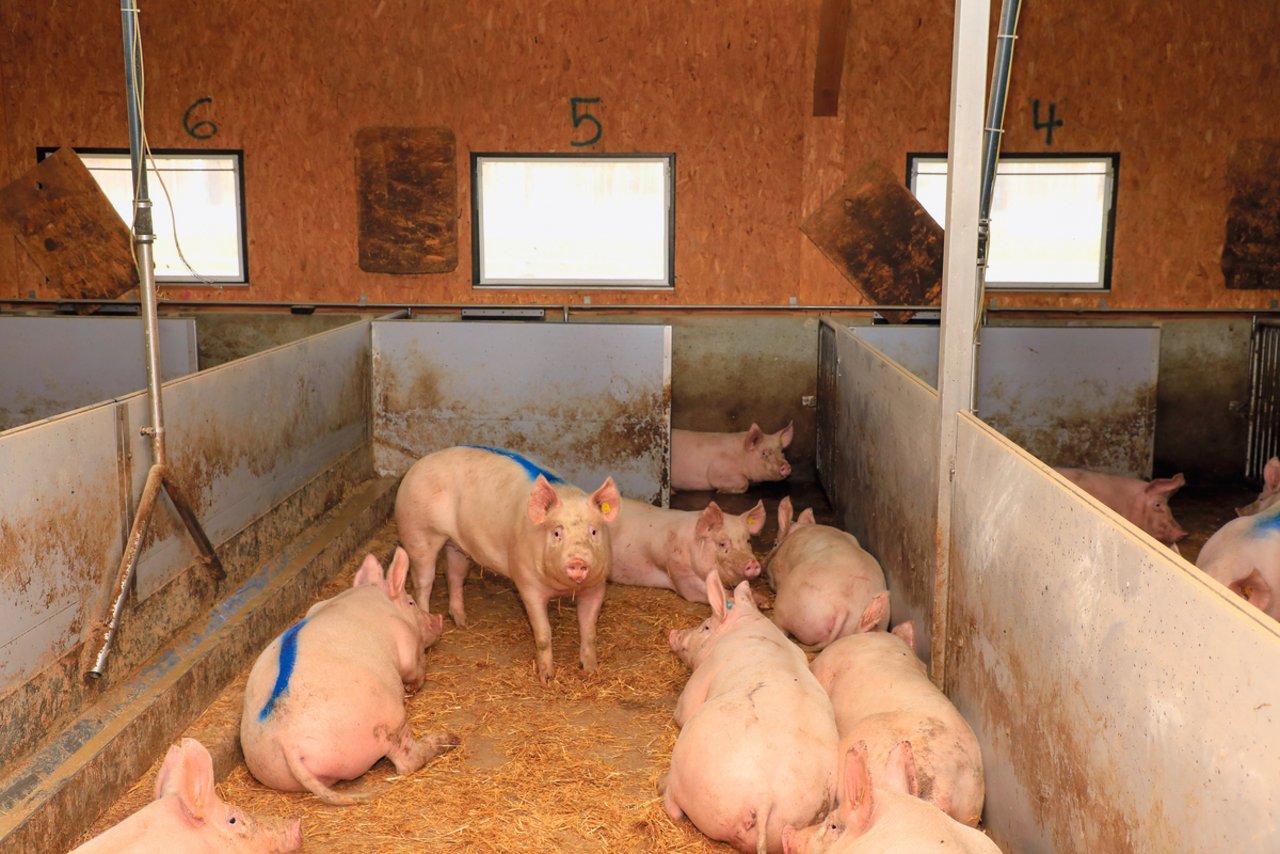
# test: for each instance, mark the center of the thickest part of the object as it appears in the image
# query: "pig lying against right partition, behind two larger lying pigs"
(826, 586)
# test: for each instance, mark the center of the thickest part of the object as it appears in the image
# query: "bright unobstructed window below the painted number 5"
(573, 221)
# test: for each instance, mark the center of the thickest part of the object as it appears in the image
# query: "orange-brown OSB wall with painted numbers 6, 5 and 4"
(726, 85)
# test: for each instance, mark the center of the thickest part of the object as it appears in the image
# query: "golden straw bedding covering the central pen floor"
(568, 769)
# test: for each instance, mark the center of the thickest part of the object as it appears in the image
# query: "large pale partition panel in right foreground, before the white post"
(1124, 702)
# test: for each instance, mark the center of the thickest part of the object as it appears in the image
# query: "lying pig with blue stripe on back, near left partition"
(326, 700)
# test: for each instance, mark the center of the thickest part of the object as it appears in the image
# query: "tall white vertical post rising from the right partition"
(957, 353)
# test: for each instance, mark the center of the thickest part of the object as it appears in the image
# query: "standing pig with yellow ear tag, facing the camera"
(520, 520)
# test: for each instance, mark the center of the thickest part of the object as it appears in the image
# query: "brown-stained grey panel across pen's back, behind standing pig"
(586, 400)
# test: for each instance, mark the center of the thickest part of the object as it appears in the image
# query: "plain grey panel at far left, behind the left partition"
(53, 364)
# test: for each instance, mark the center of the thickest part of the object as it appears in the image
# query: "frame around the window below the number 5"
(482, 282)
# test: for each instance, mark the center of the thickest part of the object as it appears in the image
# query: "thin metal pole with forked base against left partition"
(159, 476)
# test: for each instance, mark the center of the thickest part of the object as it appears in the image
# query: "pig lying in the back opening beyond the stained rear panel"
(728, 463)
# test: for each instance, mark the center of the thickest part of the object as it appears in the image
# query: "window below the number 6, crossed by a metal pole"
(208, 193)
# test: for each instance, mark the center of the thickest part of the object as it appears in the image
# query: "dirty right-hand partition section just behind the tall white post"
(877, 459)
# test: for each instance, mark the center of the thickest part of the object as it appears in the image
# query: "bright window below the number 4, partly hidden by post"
(1053, 218)
